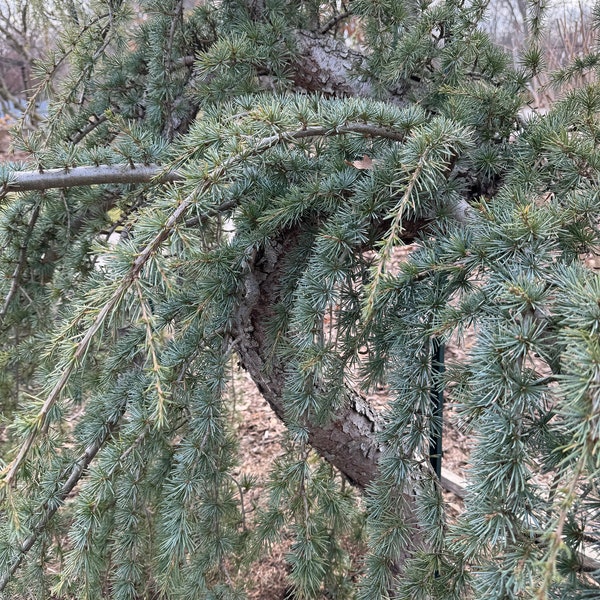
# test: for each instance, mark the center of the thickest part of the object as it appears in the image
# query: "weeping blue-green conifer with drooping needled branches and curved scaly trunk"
(292, 163)
